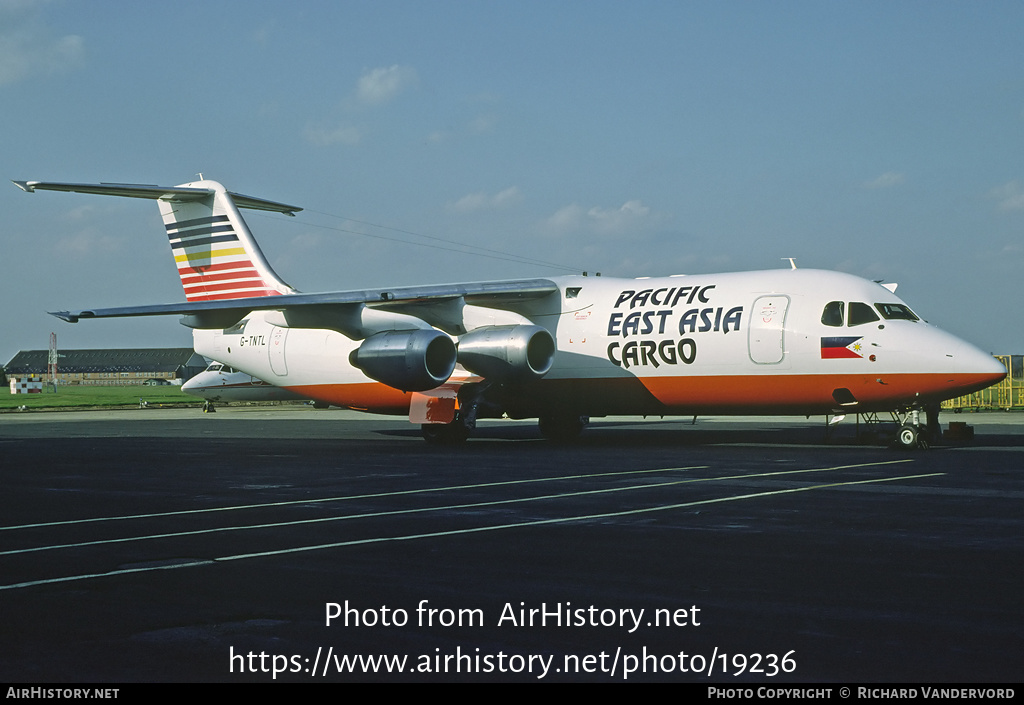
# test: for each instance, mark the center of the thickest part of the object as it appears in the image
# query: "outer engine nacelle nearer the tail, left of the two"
(410, 360)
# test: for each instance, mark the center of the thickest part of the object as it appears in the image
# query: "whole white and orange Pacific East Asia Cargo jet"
(788, 342)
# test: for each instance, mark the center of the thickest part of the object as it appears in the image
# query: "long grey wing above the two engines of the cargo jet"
(223, 314)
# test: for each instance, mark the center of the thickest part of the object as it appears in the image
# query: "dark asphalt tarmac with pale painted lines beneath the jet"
(287, 545)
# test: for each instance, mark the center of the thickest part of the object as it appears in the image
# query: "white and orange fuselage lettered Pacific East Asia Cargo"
(740, 343)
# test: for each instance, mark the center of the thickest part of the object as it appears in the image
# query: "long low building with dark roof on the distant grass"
(111, 367)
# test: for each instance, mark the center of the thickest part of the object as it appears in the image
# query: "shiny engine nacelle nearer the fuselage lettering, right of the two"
(508, 354)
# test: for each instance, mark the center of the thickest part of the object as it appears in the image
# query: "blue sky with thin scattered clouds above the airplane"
(881, 139)
